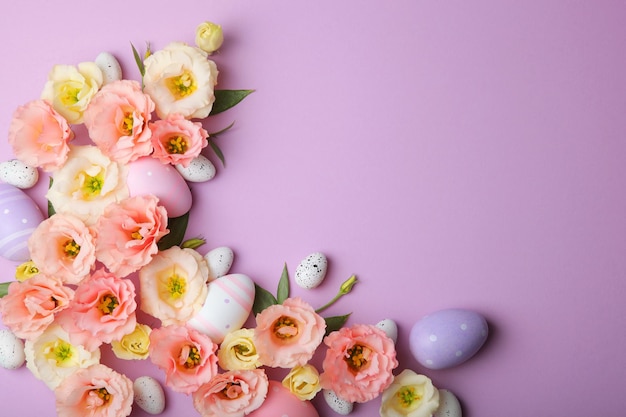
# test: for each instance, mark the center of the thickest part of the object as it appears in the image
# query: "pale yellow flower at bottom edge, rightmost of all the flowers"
(410, 395)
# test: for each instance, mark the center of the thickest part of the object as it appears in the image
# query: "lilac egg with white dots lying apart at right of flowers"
(447, 338)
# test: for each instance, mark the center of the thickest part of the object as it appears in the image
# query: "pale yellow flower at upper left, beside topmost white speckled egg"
(69, 89)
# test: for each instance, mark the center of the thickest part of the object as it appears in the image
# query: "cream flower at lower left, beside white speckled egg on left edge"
(51, 357)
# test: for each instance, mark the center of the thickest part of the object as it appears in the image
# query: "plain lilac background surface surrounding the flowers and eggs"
(461, 154)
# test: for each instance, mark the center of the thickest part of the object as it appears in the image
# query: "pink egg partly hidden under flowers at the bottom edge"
(280, 402)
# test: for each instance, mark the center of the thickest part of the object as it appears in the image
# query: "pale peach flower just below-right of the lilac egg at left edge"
(62, 247)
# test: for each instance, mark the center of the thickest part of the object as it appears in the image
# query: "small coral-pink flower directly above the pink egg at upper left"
(177, 140)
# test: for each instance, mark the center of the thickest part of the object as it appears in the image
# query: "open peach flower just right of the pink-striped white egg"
(287, 334)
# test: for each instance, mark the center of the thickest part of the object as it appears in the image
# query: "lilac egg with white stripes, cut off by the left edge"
(19, 216)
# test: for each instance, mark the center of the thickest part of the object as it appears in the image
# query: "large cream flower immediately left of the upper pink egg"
(87, 183)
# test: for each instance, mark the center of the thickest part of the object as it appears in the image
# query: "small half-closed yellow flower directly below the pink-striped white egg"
(237, 351)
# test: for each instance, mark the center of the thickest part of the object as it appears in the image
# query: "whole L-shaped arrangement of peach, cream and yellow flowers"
(75, 294)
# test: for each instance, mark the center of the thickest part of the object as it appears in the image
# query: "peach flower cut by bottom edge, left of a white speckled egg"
(96, 391)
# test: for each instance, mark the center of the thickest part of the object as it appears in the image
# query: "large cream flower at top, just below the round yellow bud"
(180, 79)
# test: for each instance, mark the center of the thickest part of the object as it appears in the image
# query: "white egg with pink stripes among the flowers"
(227, 306)
